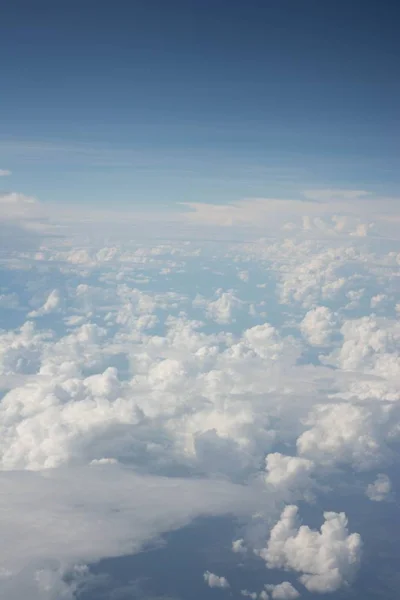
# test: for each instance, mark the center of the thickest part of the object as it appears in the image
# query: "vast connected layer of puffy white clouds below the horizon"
(234, 378)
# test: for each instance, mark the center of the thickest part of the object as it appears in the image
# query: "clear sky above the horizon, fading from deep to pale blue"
(205, 100)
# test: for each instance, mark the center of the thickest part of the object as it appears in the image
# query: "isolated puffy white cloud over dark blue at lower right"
(326, 559)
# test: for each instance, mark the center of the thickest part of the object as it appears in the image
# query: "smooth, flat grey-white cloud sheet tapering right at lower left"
(56, 519)
